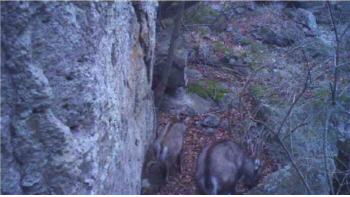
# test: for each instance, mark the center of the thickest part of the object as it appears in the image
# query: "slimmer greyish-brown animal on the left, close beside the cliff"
(168, 146)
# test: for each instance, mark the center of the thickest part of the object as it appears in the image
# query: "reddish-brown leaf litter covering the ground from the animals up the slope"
(195, 137)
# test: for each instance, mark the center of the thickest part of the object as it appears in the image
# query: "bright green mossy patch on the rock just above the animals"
(207, 88)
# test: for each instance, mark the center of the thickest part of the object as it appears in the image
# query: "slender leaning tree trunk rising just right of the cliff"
(159, 90)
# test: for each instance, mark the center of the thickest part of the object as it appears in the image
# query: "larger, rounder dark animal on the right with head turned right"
(221, 165)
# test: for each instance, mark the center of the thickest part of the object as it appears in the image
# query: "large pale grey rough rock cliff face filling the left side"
(76, 110)
